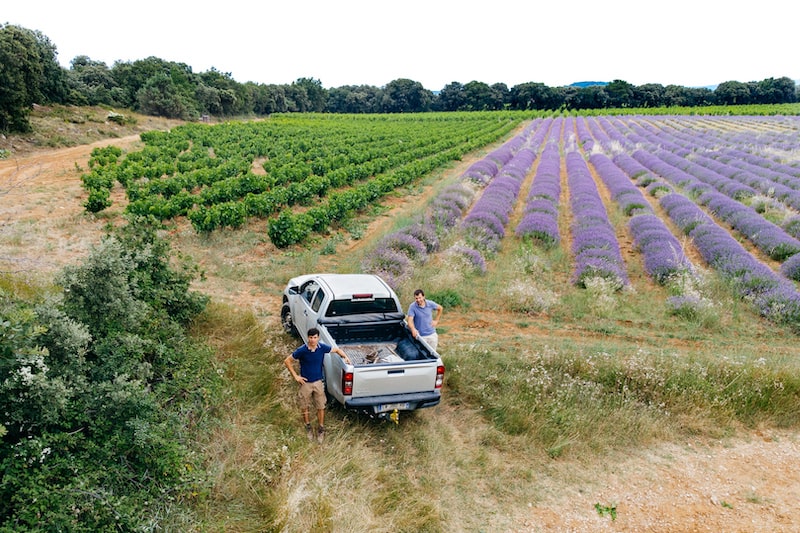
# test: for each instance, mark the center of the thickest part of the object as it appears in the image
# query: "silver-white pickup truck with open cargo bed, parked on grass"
(389, 370)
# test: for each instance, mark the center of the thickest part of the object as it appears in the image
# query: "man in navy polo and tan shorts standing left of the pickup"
(312, 388)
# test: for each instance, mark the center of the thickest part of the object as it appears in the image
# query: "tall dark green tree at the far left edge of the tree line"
(21, 72)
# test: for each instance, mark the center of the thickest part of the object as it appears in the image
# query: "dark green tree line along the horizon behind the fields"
(30, 74)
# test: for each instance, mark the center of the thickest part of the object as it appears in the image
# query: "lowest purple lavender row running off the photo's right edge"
(775, 297)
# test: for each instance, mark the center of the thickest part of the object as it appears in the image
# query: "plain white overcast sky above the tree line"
(435, 42)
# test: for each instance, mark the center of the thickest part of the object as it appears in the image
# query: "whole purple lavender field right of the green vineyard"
(722, 189)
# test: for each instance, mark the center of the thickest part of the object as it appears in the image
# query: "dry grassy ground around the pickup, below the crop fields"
(548, 387)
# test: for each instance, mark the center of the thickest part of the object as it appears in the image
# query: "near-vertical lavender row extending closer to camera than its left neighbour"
(594, 243)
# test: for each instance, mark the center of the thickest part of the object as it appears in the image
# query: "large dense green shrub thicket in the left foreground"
(98, 387)
